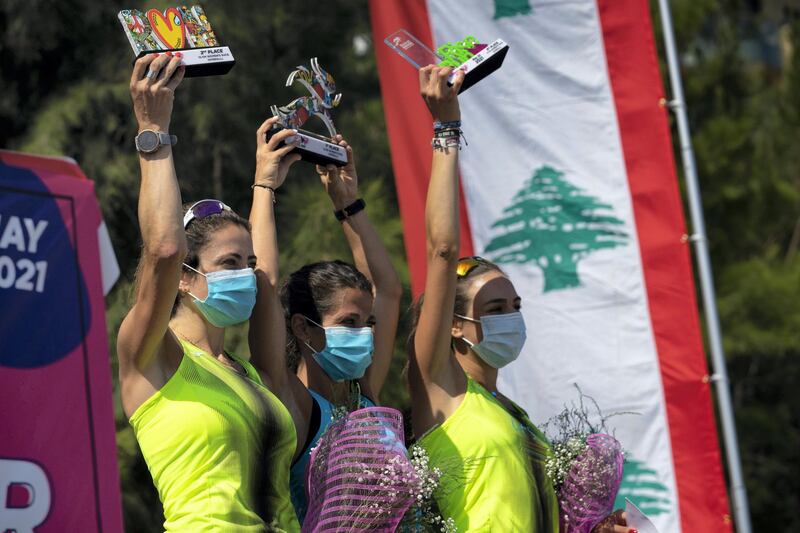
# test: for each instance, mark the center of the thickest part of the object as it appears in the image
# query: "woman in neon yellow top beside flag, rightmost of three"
(469, 325)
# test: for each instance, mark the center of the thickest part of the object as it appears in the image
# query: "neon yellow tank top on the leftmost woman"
(218, 446)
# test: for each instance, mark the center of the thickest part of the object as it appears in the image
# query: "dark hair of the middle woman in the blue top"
(311, 292)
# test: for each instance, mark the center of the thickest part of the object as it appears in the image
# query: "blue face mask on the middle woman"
(347, 352)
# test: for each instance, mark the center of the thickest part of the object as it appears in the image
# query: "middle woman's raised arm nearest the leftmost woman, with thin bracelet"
(267, 334)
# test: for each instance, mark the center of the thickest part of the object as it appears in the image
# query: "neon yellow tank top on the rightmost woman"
(493, 464)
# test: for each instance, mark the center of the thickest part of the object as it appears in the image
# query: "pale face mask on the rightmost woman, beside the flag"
(503, 338)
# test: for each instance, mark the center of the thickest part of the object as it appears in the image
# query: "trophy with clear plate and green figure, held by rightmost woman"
(477, 60)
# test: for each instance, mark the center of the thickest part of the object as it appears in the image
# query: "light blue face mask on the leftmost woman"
(231, 296)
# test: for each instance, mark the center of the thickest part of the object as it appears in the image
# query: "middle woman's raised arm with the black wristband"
(372, 259)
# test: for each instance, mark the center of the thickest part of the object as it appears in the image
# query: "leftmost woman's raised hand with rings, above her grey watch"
(153, 96)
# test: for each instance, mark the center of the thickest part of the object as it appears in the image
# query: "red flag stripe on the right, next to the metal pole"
(644, 129)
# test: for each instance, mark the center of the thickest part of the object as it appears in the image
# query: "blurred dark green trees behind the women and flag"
(65, 69)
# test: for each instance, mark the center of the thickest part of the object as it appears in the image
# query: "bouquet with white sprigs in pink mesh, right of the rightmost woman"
(585, 467)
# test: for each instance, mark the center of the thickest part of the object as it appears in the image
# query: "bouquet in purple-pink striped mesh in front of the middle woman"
(362, 478)
